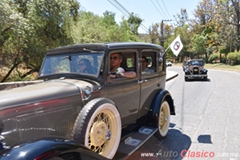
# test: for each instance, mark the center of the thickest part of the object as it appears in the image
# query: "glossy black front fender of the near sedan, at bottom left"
(42, 148)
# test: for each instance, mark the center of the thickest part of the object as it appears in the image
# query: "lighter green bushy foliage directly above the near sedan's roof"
(91, 28)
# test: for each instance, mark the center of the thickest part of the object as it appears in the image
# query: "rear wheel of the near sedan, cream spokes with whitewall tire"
(163, 119)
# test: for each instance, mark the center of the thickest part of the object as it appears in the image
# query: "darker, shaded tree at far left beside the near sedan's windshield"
(33, 27)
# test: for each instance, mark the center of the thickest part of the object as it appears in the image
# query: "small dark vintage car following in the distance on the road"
(196, 70)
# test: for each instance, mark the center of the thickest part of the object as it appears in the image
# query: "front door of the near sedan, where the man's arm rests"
(125, 92)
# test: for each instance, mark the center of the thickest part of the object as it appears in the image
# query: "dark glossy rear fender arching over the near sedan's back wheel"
(159, 98)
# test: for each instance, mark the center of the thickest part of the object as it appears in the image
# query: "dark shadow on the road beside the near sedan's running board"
(173, 146)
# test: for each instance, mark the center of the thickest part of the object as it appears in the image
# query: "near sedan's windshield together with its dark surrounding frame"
(68, 65)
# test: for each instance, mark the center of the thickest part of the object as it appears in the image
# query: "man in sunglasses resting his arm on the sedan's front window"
(115, 62)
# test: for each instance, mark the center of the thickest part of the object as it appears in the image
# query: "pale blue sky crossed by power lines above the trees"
(151, 11)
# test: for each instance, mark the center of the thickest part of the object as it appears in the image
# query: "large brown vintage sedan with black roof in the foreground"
(89, 107)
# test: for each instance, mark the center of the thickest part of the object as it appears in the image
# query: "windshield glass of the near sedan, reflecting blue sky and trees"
(77, 63)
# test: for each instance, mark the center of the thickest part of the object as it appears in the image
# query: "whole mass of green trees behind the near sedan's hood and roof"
(30, 27)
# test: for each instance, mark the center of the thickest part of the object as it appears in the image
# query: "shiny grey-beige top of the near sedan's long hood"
(43, 91)
